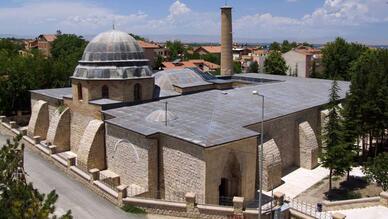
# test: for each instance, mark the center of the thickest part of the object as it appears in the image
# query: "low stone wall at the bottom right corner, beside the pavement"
(356, 203)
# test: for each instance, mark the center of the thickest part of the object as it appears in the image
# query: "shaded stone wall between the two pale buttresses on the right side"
(284, 130)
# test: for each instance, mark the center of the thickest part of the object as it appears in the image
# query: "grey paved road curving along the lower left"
(83, 203)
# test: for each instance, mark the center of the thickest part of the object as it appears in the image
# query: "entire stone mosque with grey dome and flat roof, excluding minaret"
(178, 131)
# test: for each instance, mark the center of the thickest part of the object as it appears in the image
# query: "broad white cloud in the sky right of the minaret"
(334, 17)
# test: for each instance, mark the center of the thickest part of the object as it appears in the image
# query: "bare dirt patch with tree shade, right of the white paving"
(356, 187)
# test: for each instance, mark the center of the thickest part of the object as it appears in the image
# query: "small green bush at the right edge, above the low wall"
(377, 170)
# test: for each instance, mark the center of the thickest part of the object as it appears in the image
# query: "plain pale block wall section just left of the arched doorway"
(184, 168)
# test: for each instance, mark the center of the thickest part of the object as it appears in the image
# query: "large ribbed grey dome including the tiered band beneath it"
(113, 55)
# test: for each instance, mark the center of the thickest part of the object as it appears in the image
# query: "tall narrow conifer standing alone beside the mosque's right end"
(333, 155)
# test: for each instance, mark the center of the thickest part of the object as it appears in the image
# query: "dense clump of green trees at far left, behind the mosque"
(20, 73)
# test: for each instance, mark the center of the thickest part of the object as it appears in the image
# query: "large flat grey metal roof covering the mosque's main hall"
(216, 117)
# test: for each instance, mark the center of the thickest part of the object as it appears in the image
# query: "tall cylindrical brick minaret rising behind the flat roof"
(226, 41)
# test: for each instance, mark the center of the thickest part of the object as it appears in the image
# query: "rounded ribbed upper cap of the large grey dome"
(112, 46)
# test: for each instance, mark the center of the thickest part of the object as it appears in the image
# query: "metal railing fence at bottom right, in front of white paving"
(307, 208)
